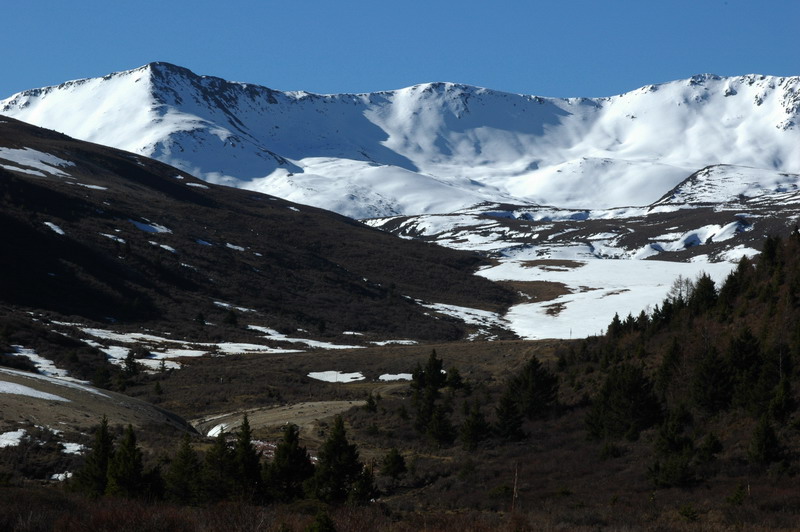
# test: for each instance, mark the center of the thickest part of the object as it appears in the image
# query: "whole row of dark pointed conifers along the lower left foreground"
(228, 471)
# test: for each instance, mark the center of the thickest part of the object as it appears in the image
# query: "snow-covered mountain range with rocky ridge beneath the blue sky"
(431, 148)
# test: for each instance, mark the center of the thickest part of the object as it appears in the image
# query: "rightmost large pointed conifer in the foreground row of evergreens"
(338, 467)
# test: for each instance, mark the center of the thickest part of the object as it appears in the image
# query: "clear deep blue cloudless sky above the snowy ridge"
(548, 48)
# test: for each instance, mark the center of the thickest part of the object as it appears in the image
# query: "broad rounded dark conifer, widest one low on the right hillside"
(624, 406)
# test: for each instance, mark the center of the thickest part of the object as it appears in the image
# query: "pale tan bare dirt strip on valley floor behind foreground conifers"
(303, 415)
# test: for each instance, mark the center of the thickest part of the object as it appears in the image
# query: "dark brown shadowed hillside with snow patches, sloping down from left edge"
(107, 235)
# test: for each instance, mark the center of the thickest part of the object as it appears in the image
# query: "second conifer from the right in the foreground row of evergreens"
(290, 467)
